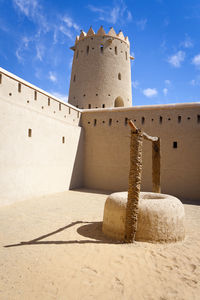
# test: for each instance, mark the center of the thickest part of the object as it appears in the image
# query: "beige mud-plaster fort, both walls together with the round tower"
(49, 146)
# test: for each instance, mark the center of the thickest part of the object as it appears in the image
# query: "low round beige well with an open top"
(160, 217)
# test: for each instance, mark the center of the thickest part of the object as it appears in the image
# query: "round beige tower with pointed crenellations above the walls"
(101, 73)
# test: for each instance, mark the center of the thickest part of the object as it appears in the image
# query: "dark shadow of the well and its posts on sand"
(92, 230)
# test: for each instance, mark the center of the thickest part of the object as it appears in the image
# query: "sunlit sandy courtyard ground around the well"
(57, 251)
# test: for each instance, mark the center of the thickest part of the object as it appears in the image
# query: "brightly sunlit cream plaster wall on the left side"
(40, 164)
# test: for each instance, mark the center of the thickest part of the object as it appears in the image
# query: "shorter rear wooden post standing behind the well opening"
(156, 166)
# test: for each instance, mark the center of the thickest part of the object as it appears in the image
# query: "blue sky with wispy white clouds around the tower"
(35, 37)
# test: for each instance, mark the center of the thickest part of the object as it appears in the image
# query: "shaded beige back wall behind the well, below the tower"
(106, 163)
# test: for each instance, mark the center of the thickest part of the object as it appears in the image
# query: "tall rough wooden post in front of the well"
(135, 175)
